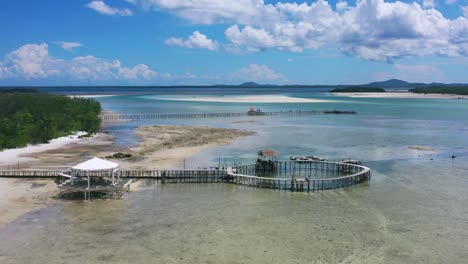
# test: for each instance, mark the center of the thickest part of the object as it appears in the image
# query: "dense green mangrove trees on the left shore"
(36, 117)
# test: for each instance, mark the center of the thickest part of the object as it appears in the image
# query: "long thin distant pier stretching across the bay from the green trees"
(214, 115)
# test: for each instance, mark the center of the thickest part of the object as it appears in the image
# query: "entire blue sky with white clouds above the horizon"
(165, 42)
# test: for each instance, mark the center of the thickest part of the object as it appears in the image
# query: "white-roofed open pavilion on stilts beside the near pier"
(95, 176)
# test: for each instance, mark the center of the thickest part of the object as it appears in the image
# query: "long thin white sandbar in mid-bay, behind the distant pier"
(245, 99)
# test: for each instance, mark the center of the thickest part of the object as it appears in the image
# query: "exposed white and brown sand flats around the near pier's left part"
(162, 147)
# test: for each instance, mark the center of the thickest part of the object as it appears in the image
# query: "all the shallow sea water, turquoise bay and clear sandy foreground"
(412, 211)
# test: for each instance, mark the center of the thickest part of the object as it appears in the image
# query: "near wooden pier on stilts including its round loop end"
(288, 175)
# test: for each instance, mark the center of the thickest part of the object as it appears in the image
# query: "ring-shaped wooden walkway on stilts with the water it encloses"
(299, 175)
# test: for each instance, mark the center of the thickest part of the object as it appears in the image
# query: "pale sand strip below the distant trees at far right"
(401, 94)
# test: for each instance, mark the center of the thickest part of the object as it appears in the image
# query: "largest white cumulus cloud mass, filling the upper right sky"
(369, 29)
